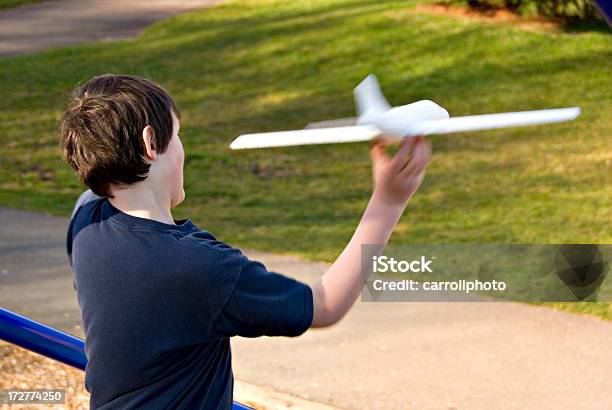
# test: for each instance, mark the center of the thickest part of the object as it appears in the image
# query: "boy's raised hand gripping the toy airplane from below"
(397, 178)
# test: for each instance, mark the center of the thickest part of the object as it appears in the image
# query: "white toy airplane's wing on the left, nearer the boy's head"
(306, 137)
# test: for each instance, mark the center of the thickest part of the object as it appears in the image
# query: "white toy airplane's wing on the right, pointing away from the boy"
(491, 121)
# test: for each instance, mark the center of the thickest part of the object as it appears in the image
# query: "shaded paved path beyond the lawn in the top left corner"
(56, 23)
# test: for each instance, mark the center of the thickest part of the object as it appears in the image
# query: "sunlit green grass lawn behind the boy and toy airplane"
(249, 66)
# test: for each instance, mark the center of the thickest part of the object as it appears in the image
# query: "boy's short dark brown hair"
(101, 130)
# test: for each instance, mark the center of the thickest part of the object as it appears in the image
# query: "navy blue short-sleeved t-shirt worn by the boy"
(159, 303)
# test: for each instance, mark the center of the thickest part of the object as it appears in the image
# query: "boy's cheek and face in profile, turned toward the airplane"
(171, 164)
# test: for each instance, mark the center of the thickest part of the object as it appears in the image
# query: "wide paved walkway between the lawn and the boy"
(382, 355)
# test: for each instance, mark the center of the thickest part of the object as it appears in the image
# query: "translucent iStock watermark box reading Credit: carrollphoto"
(486, 272)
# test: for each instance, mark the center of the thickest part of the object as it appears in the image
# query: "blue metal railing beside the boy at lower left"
(48, 341)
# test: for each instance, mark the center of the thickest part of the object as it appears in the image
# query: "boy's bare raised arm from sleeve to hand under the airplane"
(396, 179)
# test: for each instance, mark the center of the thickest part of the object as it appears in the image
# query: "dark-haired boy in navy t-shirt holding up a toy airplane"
(160, 298)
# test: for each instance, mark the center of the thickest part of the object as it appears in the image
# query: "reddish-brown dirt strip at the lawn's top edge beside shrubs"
(492, 16)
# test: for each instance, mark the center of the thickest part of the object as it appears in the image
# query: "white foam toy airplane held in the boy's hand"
(377, 118)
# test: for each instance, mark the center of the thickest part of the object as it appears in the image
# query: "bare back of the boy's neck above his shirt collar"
(143, 204)
